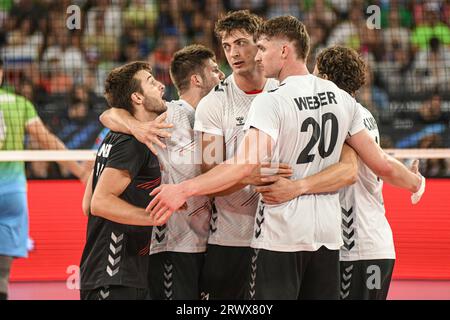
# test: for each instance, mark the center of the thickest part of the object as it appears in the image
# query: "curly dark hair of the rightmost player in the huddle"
(344, 66)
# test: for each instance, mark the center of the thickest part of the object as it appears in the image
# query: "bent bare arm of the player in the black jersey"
(107, 204)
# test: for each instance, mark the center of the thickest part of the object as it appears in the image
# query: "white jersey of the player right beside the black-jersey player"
(186, 230)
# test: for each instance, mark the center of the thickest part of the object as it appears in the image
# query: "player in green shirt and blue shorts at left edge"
(17, 117)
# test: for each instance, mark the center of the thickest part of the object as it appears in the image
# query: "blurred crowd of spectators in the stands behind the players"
(62, 71)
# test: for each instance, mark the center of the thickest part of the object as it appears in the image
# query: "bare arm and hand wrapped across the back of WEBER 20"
(333, 178)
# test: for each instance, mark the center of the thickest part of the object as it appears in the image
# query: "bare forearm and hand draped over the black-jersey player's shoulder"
(120, 120)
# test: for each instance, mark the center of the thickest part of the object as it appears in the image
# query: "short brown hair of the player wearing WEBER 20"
(288, 27)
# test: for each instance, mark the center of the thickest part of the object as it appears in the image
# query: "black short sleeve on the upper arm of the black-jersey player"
(128, 154)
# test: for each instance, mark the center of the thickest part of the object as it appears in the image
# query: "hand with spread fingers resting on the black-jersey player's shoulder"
(150, 132)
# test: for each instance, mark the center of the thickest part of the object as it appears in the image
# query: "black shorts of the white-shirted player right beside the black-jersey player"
(175, 276)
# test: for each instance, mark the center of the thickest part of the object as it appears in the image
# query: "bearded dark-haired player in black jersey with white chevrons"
(114, 264)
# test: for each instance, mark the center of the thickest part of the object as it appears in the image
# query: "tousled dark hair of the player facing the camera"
(237, 20)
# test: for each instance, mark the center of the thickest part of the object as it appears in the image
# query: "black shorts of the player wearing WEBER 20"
(303, 275)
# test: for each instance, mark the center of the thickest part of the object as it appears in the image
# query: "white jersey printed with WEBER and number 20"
(308, 119)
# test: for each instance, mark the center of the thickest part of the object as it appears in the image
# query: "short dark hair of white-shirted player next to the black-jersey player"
(186, 62)
